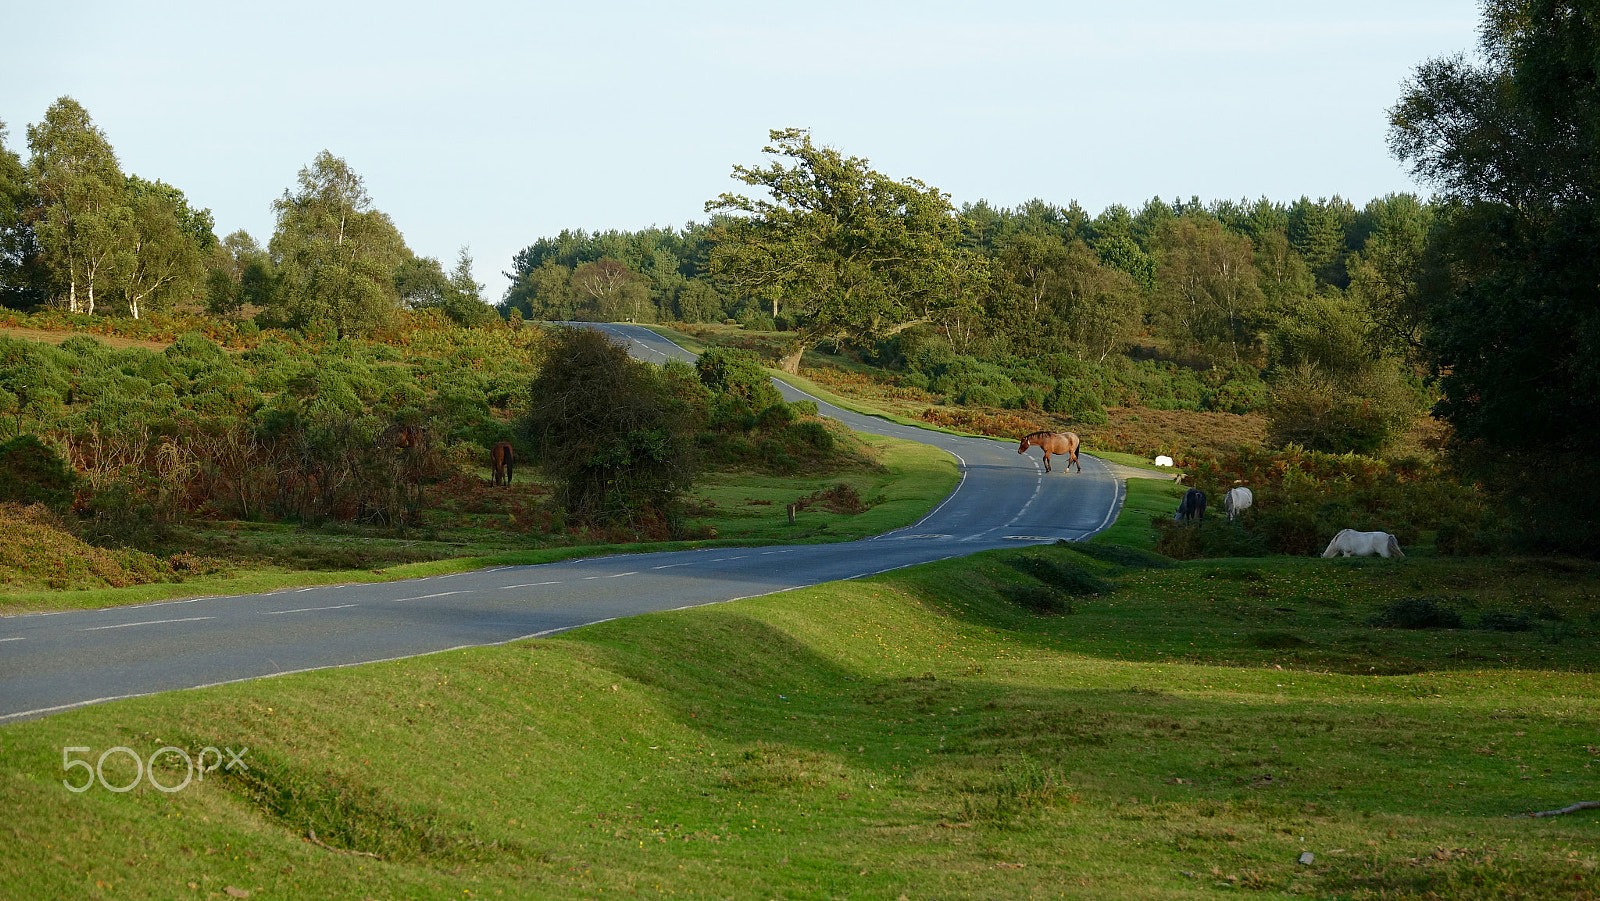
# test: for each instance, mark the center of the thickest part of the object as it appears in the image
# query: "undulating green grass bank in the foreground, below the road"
(1194, 729)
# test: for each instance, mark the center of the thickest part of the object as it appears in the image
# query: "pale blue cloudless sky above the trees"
(494, 124)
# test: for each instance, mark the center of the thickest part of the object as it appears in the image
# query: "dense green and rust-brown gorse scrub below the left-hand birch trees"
(284, 428)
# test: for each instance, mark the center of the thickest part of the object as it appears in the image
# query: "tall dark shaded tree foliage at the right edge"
(1513, 287)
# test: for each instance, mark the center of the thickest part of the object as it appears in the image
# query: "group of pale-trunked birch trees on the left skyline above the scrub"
(79, 234)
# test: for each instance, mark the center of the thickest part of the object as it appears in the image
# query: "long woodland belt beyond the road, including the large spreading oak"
(1039, 306)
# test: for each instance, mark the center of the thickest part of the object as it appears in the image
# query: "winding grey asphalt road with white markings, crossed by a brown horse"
(55, 662)
